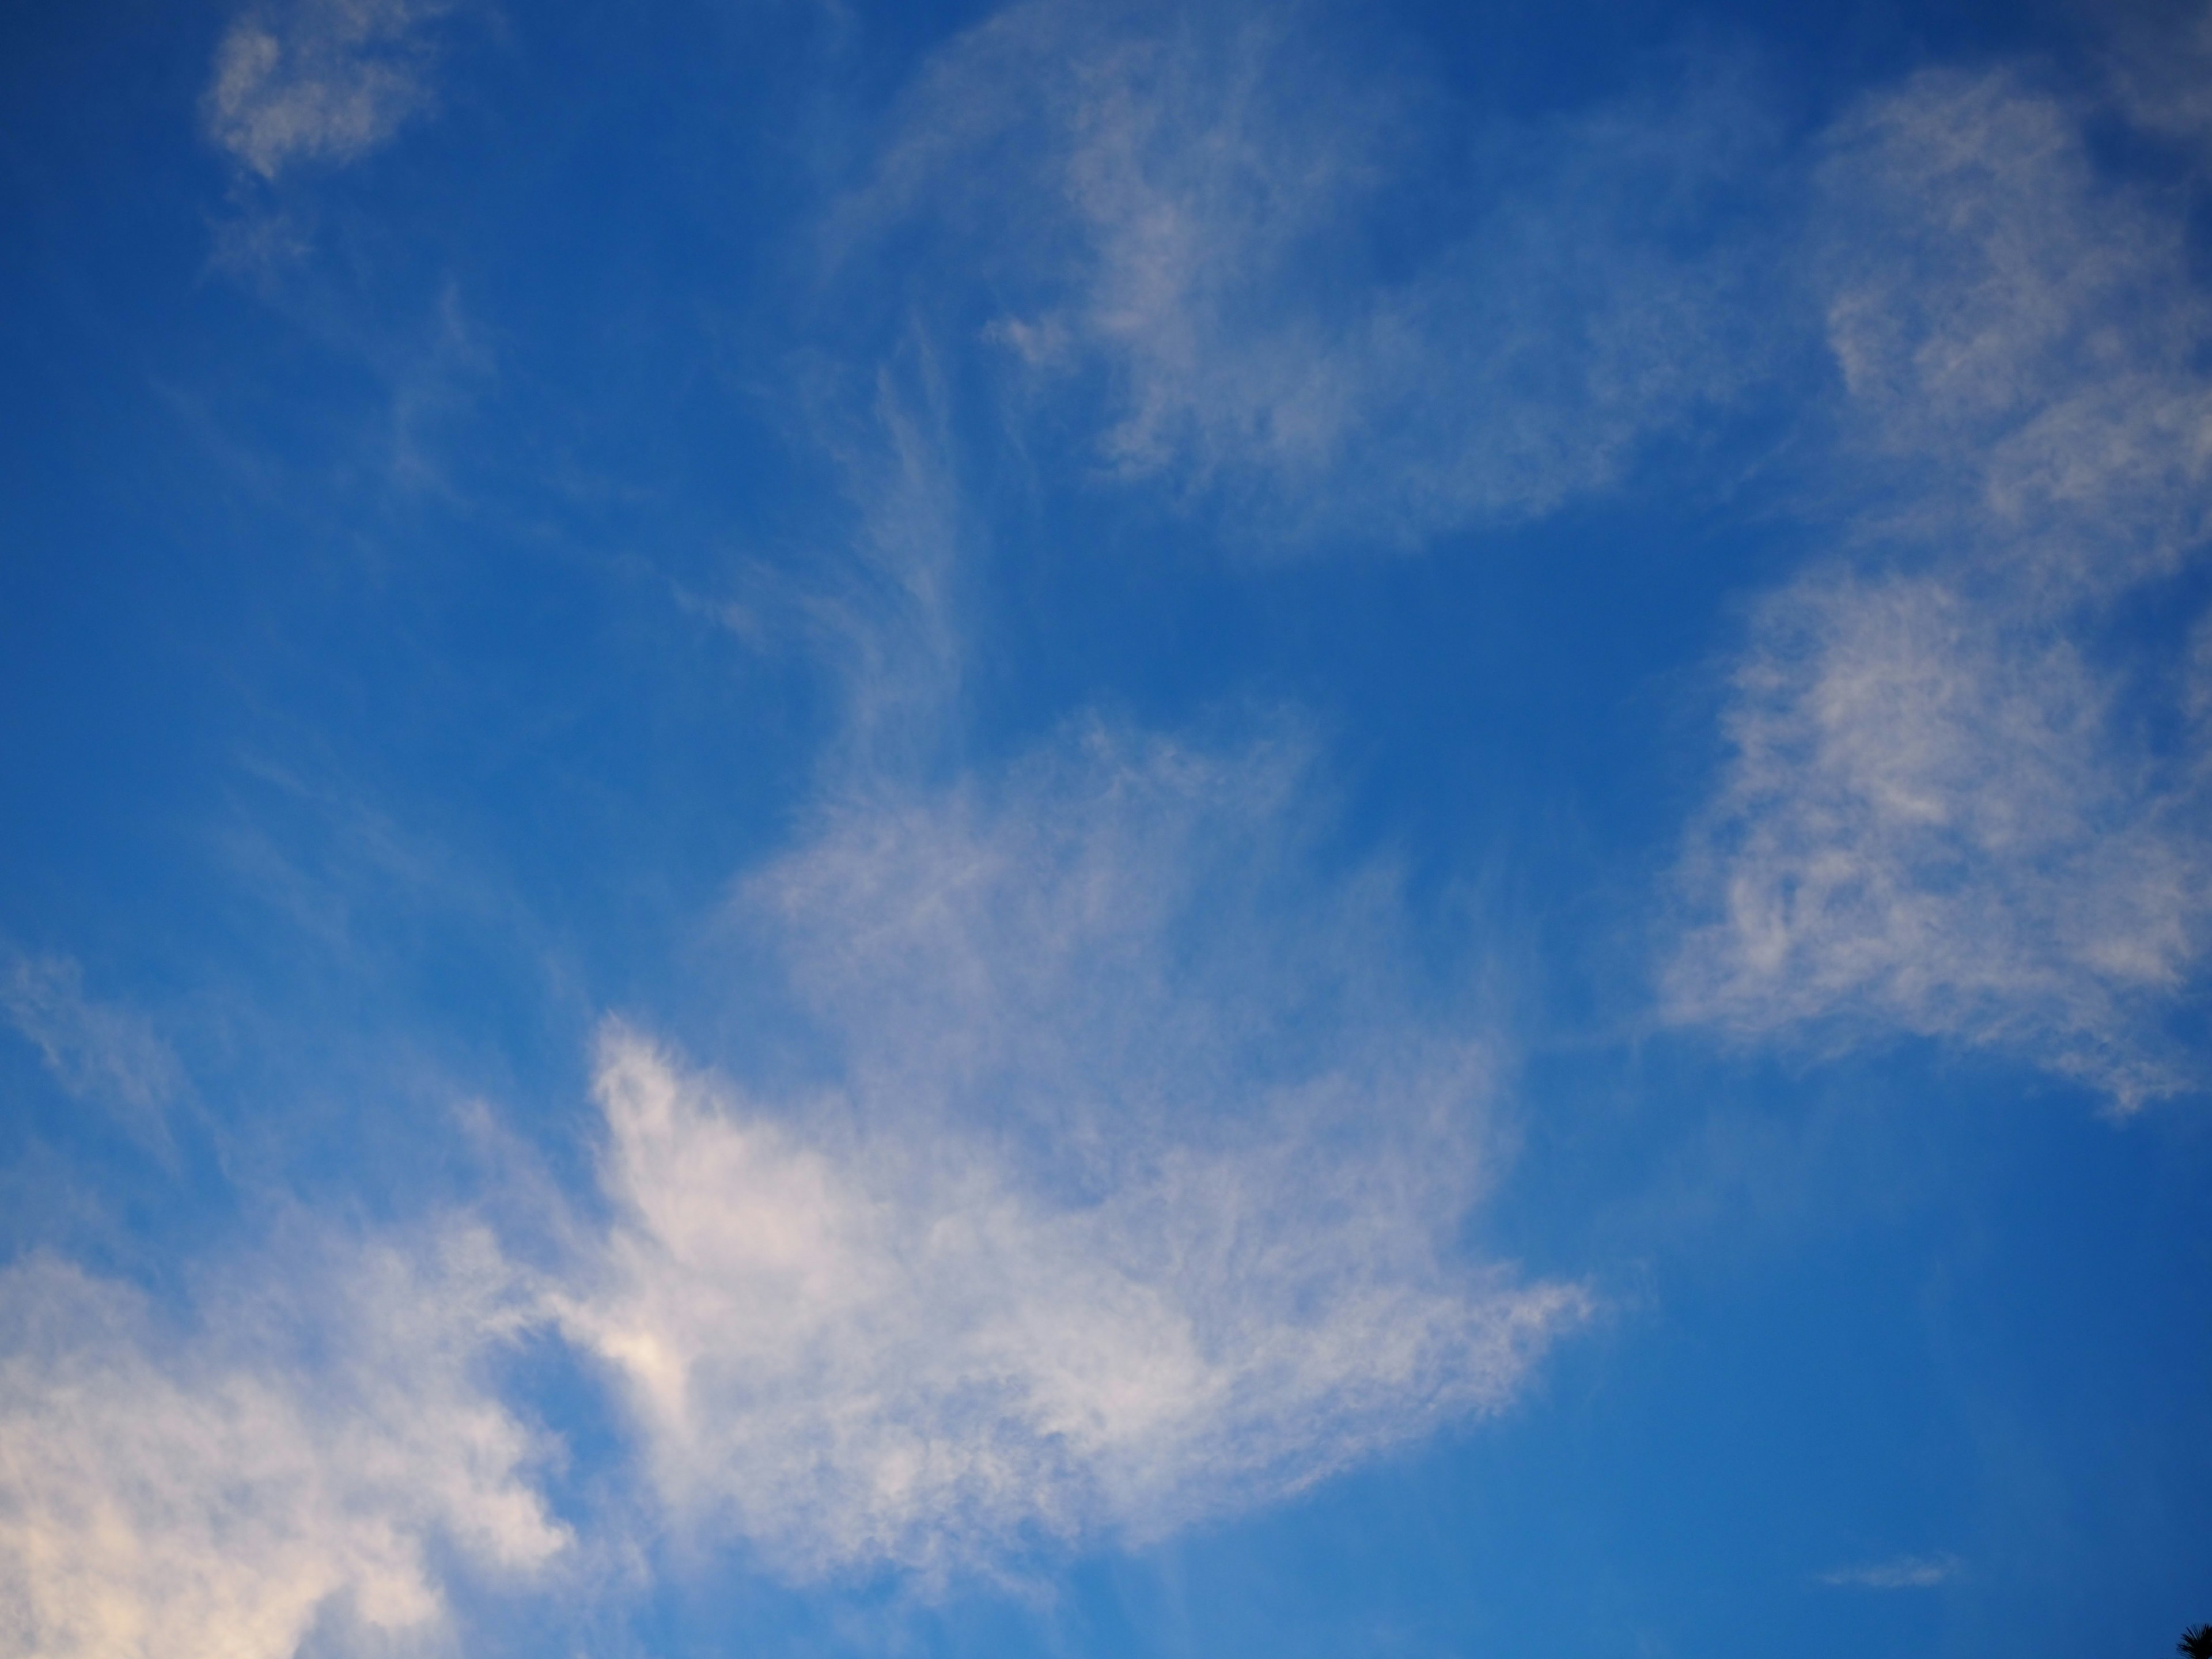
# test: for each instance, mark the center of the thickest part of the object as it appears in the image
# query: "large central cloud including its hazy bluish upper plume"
(1092, 1235)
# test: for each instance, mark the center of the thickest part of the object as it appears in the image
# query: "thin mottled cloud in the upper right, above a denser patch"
(2021, 335)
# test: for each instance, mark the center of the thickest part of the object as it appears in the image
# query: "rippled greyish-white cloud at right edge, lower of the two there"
(1934, 822)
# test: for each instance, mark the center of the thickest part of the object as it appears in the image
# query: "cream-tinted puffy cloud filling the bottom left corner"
(280, 1472)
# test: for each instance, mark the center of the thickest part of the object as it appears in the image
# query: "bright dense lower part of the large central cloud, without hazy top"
(893, 1355)
